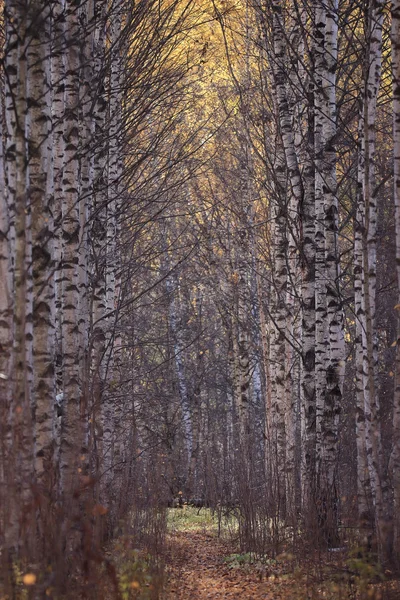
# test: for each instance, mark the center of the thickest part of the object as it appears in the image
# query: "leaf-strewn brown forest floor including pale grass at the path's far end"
(203, 566)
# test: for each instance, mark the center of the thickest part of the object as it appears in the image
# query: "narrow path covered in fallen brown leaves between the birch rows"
(197, 571)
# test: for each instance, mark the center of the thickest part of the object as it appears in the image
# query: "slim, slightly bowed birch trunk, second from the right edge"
(369, 333)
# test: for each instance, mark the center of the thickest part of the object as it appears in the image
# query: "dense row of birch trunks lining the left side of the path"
(52, 168)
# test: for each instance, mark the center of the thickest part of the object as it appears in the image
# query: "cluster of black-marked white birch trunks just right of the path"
(310, 199)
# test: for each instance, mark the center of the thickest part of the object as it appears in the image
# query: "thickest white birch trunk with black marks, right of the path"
(329, 326)
